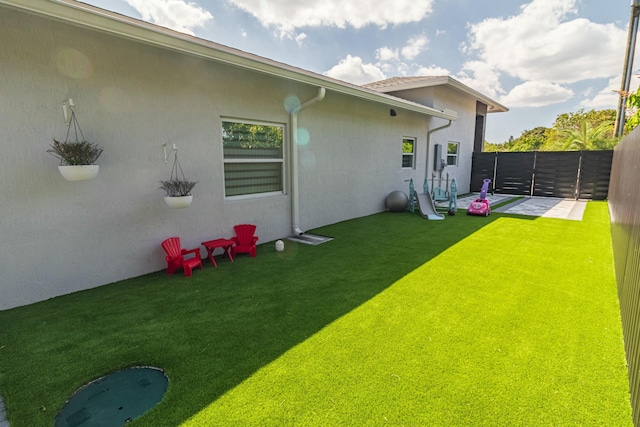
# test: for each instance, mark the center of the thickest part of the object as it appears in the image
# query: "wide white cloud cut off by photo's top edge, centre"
(288, 15)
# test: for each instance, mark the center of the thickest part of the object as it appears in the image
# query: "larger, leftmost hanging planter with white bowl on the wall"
(77, 157)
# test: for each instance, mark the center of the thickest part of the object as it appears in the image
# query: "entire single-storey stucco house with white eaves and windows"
(138, 89)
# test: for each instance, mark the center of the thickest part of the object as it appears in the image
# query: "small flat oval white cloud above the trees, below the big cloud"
(536, 94)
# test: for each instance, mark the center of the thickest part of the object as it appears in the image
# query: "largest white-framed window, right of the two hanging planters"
(253, 158)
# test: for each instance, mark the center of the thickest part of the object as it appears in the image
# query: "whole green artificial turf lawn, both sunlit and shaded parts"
(473, 321)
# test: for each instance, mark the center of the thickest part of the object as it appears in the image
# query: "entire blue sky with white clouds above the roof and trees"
(540, 58)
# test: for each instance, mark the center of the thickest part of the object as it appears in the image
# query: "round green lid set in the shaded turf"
(115, 399)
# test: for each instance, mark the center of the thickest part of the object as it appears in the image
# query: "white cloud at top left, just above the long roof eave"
(178, 15)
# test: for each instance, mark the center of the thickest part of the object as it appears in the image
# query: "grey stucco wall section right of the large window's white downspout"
(354, 158)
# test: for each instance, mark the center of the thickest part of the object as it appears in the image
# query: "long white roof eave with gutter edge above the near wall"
(84, 15)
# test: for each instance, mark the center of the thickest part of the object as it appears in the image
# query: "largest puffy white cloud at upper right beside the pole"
(542, 44)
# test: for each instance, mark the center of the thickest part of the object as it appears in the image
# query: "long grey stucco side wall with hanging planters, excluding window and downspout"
(60, 237)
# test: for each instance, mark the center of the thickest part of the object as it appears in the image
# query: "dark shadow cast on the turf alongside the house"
(212, 331)
